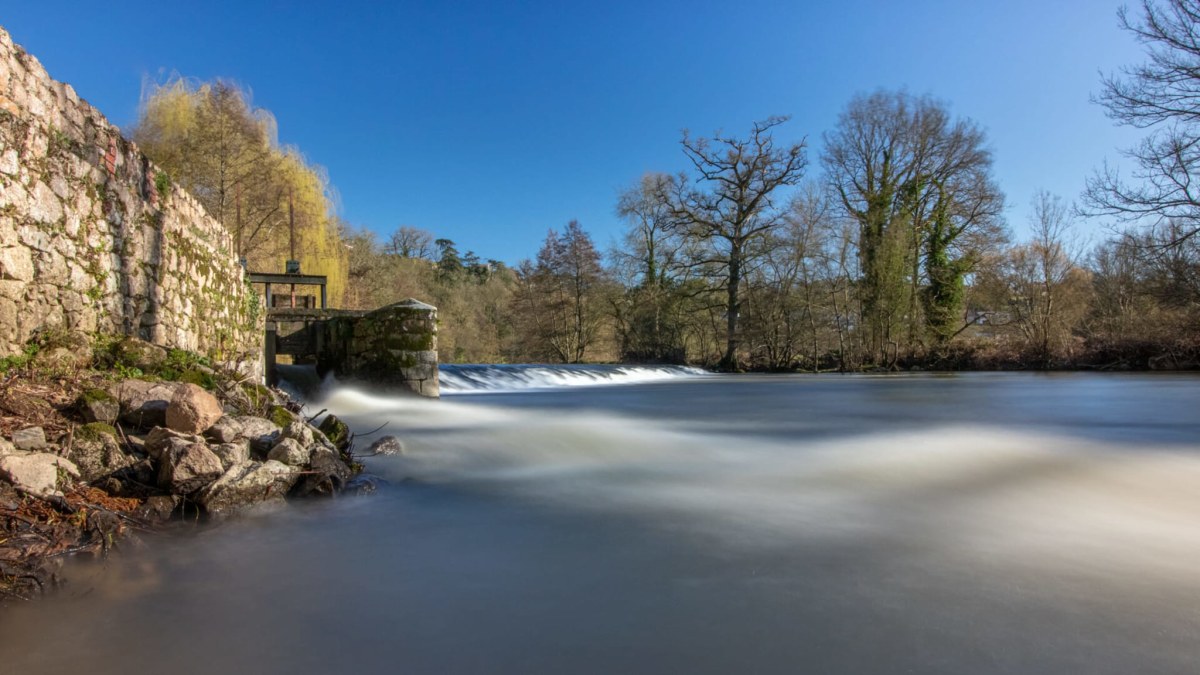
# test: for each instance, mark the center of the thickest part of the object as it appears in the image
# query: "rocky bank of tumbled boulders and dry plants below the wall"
(104, 438)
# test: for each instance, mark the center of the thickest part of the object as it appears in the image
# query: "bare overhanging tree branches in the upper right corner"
(1162, 95)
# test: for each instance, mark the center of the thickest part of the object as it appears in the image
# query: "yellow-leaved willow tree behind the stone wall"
(212, 141)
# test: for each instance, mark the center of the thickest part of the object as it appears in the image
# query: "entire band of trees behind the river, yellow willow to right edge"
(889, 252)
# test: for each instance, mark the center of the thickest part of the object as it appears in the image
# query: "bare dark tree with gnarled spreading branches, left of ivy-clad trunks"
(733, 205)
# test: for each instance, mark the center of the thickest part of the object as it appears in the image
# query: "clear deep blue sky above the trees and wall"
(490, 123)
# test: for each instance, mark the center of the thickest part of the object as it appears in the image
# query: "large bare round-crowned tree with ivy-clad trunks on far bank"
(920, 187)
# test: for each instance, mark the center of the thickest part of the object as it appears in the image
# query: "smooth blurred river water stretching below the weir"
(1011, 523)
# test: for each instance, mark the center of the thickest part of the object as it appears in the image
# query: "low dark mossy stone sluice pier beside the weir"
(395, 345)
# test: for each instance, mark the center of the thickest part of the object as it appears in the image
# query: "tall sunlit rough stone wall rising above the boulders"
(94, 237)
